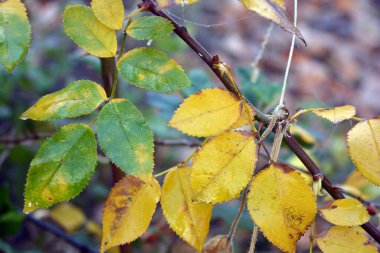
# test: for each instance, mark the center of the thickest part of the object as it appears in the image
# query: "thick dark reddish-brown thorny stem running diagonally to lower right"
(260, 116)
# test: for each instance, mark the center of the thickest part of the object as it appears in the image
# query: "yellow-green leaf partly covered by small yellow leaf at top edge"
(88, 32)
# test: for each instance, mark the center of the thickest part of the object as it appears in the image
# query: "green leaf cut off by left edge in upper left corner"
(15, 33)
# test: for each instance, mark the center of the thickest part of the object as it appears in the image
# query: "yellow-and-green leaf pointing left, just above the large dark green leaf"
(79, 98)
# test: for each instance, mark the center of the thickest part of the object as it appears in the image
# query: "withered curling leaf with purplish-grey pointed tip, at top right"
(274, 10)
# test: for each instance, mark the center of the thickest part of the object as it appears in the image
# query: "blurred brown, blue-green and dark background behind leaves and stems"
(340, 65)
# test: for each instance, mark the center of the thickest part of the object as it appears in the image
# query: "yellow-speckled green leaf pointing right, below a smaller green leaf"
(151, 69)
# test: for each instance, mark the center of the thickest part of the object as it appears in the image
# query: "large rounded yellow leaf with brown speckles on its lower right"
(282, 204)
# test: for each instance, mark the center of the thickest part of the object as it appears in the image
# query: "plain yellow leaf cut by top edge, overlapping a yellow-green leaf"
(109, 12)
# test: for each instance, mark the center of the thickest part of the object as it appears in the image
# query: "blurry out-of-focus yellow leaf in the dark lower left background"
(68, 216)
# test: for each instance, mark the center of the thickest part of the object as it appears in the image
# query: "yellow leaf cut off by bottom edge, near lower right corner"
(345, 239)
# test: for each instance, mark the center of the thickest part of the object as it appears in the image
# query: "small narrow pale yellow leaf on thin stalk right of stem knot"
(336, 114)
